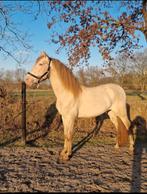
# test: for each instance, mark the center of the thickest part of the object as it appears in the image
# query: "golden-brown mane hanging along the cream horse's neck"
(67, 78)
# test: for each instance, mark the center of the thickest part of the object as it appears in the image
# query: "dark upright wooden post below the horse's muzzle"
(23, 121)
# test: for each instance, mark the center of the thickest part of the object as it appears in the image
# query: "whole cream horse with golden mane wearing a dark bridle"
(75, 100)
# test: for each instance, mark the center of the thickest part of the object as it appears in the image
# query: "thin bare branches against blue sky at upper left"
(13, 38)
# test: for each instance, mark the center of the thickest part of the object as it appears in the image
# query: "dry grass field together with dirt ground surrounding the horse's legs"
(95, 165)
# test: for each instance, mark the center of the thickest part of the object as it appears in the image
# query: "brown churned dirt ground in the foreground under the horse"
(94, 167)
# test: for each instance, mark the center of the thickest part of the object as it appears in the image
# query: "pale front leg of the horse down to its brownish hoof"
(68, 123)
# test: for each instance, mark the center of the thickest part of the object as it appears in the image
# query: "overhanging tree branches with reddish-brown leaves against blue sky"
(92, 23)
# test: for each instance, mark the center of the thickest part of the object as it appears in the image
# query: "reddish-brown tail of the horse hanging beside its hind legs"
(123, 134)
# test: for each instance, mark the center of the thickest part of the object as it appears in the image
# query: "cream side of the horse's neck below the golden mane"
(56, 83)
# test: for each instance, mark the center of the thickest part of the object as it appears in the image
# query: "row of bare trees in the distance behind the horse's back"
(130, 73)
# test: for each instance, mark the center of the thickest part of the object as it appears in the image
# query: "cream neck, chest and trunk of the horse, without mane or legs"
(91, 102)
